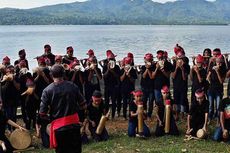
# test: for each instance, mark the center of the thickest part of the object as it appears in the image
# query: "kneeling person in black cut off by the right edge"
(222, 132)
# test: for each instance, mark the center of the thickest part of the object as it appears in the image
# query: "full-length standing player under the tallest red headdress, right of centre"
(180, 74)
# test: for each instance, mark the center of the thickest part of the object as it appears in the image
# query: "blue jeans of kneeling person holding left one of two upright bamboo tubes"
(132, 129)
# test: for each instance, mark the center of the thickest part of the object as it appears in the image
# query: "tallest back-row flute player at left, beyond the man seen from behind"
(48, 55)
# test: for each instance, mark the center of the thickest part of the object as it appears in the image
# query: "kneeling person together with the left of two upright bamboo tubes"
(137, 116)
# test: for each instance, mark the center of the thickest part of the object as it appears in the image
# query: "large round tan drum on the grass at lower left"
(20, 139)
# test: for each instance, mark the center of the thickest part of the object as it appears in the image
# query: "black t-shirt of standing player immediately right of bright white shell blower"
(128, 86)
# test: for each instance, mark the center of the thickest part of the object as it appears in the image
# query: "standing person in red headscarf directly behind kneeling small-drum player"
(198, 76)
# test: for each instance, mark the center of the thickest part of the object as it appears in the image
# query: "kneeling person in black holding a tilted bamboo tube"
(97, 118)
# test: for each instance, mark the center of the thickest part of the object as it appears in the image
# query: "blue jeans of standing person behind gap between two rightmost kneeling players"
(214, 98)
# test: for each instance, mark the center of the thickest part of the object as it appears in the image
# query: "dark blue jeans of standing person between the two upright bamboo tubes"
(148, 98)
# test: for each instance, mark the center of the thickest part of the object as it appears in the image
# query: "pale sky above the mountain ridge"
(36, 3)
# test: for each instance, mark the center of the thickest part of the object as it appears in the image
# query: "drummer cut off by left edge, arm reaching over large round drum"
(3, 122)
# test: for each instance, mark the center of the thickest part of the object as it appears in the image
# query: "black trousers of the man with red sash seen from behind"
(68, 140)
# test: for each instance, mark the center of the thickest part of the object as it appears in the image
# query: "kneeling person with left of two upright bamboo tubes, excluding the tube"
(133, 116)
